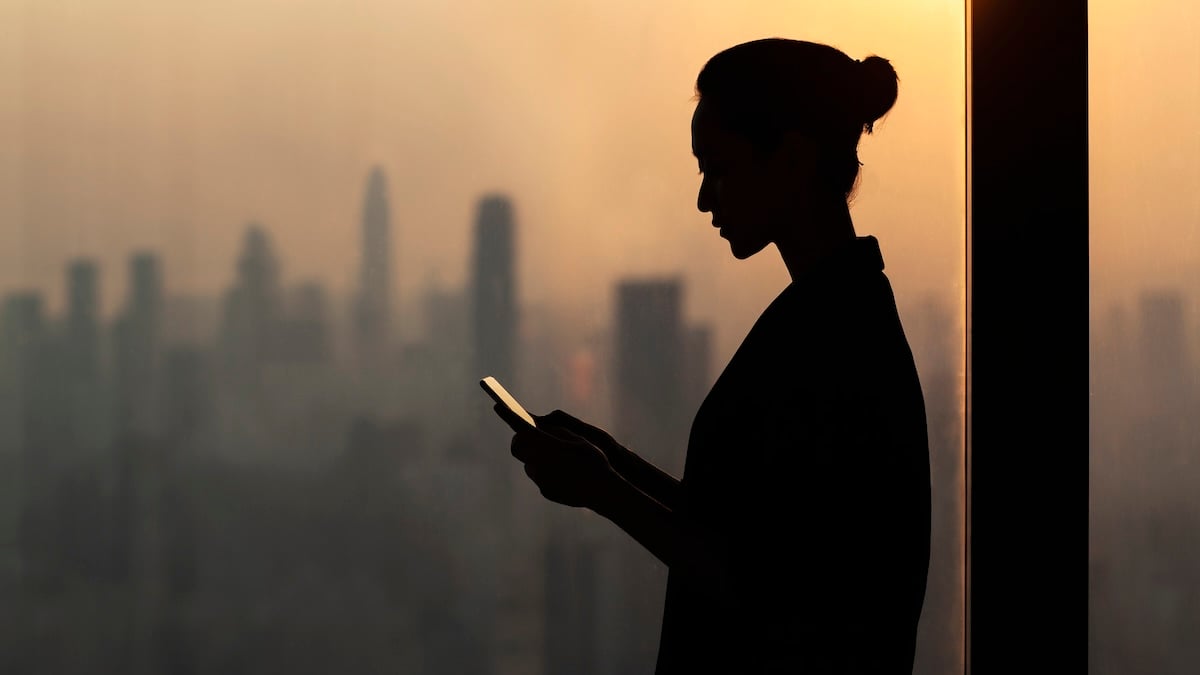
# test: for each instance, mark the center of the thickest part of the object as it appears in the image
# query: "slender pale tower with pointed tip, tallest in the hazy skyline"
(374, 304)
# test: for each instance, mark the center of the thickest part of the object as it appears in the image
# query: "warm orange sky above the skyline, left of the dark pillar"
(169, 126)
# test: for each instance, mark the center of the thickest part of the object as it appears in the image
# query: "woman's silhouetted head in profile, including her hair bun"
(777, 132)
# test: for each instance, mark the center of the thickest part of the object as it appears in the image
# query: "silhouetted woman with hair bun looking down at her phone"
(797, 539)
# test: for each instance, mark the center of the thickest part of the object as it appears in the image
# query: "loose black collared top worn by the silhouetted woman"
(809, 465)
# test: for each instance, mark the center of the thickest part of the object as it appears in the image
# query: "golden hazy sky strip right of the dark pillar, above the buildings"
(1145, 146)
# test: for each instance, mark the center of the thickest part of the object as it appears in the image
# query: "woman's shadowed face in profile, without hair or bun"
(751, 196)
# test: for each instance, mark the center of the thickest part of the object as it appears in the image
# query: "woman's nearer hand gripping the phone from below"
(566, 468)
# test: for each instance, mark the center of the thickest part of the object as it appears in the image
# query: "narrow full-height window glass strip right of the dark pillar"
(1145, 283)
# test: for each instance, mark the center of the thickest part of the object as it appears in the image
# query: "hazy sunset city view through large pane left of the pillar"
(248, 254)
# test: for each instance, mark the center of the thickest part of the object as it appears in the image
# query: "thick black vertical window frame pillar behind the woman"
(1028, 337)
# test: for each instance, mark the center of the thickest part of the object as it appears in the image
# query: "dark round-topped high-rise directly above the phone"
(494, 291)
